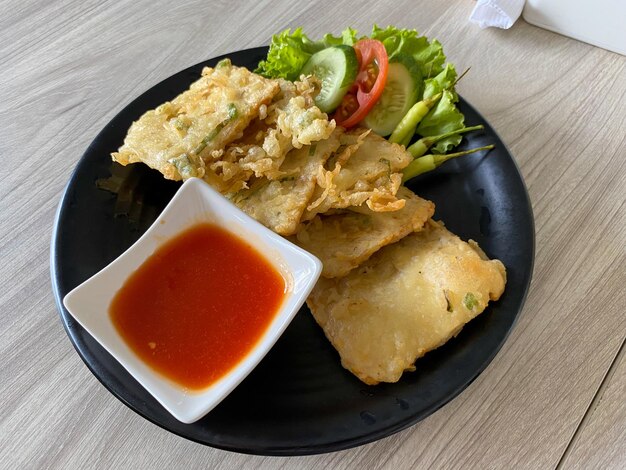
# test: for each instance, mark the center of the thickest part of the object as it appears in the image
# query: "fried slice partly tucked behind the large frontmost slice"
(344, 240)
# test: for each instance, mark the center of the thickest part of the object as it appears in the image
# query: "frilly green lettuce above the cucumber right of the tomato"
(407, 41)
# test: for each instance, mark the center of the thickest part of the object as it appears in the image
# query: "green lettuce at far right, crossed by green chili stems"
(444, 117)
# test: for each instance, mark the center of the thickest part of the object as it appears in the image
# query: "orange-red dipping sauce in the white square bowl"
(198, 305)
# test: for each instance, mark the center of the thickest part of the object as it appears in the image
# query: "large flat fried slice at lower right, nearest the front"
(409, 298)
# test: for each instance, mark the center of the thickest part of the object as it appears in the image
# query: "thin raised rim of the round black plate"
(302, 450)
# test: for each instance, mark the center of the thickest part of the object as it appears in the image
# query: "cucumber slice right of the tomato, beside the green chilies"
(402, 90)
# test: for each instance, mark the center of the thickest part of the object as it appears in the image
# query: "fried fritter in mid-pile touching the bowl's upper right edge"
(279, 204)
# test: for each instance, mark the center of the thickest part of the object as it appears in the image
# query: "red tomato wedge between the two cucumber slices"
(369, 84)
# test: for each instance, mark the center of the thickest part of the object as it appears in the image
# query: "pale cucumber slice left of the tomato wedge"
(336, 67)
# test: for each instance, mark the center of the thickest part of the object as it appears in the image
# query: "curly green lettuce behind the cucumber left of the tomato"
(290, 51)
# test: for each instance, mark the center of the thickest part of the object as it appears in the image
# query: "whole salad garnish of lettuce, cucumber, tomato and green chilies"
(393, 81)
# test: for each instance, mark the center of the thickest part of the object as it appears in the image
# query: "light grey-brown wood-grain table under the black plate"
(553, 396)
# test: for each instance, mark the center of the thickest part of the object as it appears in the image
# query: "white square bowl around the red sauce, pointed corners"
(195, 202)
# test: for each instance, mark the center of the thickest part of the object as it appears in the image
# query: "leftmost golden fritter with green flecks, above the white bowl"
(178, 137)
